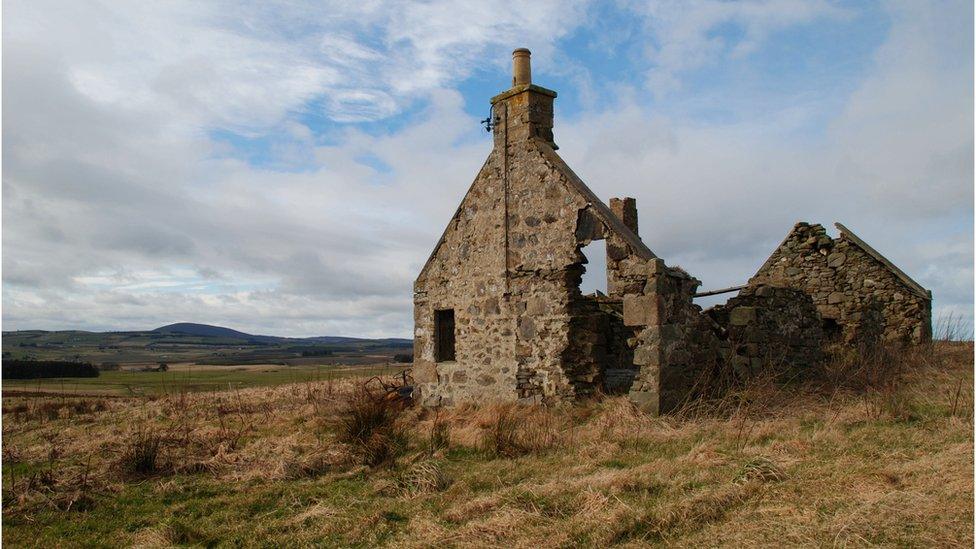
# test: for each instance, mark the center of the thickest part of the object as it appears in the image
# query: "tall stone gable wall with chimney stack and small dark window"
(510, 265)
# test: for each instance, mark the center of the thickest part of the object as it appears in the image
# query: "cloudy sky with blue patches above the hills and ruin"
(285, 168)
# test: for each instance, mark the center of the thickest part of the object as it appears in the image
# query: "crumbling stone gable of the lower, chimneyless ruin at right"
(848, 285)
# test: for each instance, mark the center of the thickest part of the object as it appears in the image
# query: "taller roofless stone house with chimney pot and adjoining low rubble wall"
(498, 311)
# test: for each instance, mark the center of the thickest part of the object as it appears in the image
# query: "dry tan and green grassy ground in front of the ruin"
(849, 460)
